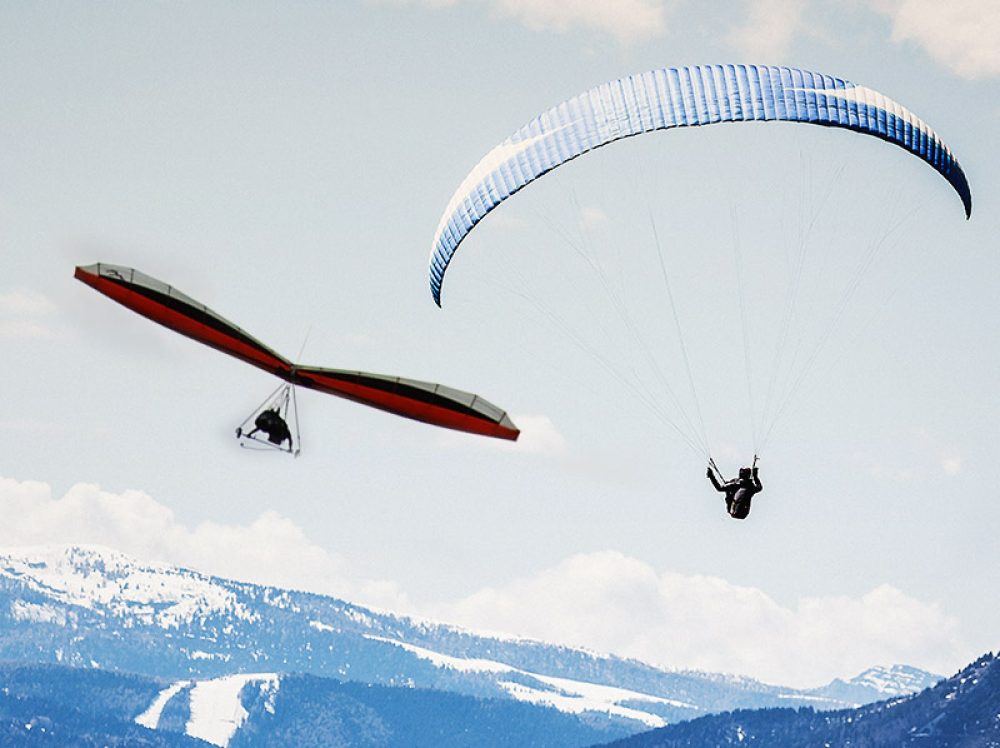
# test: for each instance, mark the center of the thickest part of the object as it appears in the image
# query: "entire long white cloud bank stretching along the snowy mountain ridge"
(605, 601)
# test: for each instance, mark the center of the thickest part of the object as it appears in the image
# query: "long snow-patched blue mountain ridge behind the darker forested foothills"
(93, 607)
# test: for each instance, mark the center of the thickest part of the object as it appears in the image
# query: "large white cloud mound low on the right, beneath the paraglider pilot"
(611, 602)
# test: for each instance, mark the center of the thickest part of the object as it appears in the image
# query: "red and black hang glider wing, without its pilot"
(421, 401)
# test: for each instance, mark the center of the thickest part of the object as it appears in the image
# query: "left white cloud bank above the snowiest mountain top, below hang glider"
(270, 549)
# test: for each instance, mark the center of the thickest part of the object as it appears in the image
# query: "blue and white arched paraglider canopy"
(678, 97)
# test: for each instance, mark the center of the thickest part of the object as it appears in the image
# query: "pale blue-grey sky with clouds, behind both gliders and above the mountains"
(287, 165)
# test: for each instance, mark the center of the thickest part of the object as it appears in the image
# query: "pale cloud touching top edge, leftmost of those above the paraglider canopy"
(628, 21)
